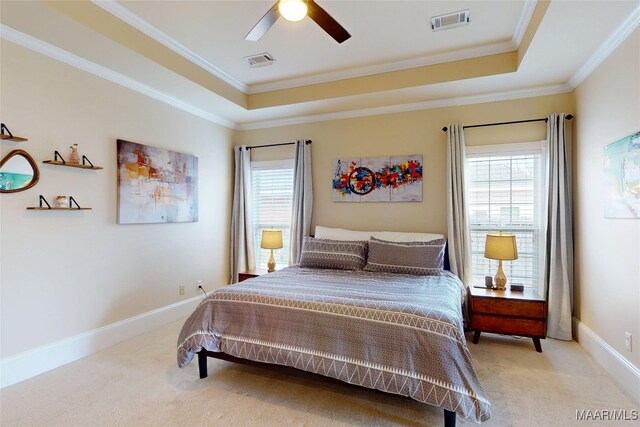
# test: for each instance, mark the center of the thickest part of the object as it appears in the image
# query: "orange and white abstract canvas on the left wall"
(156, 185)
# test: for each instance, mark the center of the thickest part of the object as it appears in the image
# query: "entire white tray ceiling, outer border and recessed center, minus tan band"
(386, 35)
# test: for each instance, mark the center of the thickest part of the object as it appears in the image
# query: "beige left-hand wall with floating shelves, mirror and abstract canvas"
(64, 273)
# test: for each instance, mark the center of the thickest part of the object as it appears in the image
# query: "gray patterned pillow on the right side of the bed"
(419, 258)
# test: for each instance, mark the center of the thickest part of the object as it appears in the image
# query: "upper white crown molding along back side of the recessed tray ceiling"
(458, 55)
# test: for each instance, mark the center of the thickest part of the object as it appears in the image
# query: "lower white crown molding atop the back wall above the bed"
(416, 106)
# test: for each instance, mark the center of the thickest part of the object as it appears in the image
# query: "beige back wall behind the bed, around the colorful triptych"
(418, 132)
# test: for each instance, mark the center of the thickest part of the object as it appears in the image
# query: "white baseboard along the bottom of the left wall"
(28, 364)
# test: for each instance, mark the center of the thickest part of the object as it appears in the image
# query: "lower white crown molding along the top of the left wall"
(44, 48)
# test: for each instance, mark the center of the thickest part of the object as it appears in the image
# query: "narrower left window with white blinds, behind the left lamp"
(272, 188)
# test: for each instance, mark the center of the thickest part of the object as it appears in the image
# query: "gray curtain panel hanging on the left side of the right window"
(459, 240)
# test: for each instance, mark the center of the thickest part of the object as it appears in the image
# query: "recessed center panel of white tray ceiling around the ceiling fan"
(382, 32)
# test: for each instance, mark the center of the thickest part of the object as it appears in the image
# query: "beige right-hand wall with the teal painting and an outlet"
(607, 250)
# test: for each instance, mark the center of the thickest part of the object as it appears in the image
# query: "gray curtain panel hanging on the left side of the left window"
(242, 245)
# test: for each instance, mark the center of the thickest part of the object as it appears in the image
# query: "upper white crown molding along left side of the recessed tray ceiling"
(140, 24)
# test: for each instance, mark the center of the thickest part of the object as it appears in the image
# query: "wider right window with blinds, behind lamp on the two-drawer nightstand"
(505, 184)
